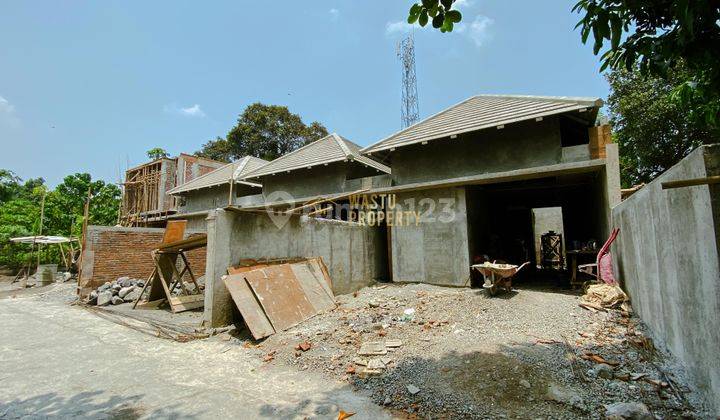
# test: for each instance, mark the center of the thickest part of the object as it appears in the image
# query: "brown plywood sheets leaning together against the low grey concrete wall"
(274, 297)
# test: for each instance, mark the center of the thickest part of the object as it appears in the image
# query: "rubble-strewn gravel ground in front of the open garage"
(518, 355)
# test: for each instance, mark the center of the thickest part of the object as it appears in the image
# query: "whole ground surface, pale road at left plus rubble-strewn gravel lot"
(448, 353)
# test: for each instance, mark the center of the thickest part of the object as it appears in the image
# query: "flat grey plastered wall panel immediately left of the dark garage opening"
(436, 250)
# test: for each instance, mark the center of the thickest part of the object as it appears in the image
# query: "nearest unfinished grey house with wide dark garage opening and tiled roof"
(478, 172)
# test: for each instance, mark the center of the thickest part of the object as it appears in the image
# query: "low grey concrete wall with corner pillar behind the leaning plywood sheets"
(355, 255)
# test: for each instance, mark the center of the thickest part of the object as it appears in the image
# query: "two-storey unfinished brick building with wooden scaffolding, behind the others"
(145, 200)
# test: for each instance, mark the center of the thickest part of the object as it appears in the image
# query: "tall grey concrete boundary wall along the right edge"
(666, 256)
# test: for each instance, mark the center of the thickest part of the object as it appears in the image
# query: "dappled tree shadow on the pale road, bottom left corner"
(84, 405)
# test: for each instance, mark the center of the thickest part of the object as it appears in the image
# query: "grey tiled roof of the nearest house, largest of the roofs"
(482, 111)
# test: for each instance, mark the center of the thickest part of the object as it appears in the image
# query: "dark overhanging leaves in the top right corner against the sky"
(661, 35)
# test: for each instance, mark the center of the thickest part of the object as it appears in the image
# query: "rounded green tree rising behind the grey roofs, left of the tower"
(264, 131)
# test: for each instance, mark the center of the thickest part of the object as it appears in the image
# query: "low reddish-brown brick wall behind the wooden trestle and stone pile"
(112, 252)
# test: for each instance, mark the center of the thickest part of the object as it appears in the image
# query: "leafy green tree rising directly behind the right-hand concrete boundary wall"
(653, 132)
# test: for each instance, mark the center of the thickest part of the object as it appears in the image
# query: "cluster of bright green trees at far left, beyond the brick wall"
(64, 208)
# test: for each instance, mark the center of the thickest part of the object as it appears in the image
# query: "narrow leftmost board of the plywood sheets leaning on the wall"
(248, 305)
